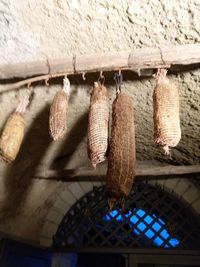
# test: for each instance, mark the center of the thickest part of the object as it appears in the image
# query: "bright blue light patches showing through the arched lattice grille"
(151, 225)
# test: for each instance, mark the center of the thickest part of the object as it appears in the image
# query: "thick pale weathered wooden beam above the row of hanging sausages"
(141, 58)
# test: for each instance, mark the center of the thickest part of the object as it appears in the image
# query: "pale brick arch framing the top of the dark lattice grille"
(74, 191)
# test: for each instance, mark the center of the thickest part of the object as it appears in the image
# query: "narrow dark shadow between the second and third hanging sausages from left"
(73, 139)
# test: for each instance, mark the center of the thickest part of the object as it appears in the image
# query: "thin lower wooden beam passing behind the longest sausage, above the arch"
(142, 173)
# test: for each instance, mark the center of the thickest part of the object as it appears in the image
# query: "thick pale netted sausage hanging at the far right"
(167, 131)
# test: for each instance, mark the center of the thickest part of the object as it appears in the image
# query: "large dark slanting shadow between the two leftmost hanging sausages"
(17, 178)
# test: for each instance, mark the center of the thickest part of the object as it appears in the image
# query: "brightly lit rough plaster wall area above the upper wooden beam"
(52, 27)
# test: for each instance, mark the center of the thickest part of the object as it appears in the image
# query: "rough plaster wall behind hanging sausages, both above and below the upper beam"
(34, 30)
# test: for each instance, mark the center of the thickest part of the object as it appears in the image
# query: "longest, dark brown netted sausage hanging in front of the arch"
(122, 154)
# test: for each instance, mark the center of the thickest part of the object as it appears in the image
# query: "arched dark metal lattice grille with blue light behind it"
(153, 218)
